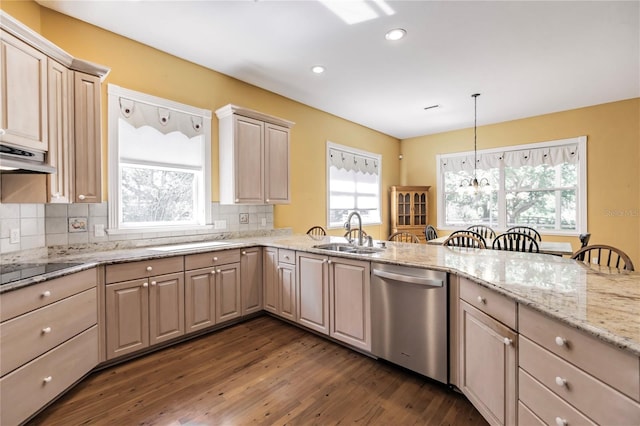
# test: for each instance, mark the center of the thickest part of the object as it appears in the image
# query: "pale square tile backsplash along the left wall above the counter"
(33, 226)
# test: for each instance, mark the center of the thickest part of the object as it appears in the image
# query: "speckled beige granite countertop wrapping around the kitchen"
(601, 303)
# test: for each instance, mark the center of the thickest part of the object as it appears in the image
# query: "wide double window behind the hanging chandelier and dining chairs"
(539, 185)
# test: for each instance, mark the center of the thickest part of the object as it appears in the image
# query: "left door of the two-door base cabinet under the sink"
(313, 292)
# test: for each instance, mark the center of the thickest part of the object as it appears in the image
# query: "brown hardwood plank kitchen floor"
(263, 371)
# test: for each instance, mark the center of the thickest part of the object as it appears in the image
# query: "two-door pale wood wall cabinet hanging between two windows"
(254, 157)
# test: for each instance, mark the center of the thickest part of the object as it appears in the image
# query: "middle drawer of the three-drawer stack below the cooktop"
(28, 336)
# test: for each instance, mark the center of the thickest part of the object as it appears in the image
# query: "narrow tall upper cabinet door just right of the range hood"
(60, 156)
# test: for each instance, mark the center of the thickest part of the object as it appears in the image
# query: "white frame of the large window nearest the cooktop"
(114, 178)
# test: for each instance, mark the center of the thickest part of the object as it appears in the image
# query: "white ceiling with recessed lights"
(525, 58)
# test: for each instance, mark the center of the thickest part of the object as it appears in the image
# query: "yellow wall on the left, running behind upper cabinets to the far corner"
(139, 67)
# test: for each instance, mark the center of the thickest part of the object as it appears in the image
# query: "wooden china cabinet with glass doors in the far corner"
(409, 209)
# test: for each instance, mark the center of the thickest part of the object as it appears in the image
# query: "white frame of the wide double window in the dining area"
(581, 204)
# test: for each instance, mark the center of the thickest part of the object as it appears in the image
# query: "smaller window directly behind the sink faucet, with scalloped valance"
(353, 179)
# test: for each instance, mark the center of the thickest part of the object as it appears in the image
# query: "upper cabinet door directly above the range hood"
(23, 104)
